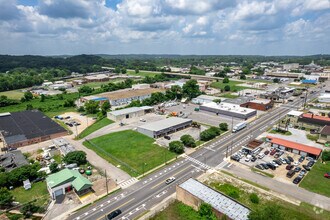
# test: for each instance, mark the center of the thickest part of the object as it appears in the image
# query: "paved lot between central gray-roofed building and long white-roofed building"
(202, 117)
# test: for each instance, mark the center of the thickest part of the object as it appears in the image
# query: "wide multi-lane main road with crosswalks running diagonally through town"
(151, 190)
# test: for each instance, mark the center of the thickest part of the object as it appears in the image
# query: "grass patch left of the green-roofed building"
(38, 192)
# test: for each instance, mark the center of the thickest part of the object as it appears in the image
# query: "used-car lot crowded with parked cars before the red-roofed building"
(268, 155)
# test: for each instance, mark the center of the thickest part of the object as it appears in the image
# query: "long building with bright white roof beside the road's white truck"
(228, 109)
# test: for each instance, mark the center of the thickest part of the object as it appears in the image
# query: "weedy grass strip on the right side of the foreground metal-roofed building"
(289, 211)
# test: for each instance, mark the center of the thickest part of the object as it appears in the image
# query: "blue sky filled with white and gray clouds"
(201, 27)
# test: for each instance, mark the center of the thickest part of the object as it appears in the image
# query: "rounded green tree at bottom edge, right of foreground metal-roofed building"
(269, 211)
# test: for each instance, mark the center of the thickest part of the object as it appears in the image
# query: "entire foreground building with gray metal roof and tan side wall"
(193, 193)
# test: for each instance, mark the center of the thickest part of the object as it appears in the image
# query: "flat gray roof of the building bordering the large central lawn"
(164, 124)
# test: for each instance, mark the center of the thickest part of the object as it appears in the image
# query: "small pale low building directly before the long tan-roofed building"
(127, 113)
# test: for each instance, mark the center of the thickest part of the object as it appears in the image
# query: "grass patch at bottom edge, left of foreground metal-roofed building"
(178, 211)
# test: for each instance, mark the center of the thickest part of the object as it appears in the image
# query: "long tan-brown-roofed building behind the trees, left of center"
(123, 96)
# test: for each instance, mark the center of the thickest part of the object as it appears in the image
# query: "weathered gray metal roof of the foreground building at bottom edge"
(218, 201)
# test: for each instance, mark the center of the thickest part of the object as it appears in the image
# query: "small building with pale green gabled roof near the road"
(65, 181)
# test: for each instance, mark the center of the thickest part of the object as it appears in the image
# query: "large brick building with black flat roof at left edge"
(28, 127)
